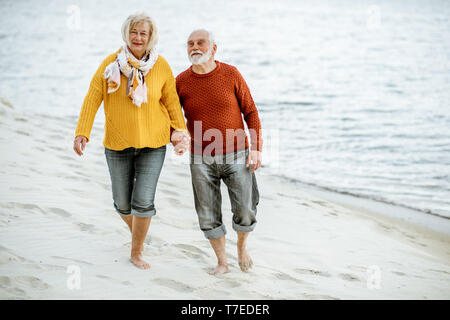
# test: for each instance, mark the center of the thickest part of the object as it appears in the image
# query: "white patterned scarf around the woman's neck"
(135, 70)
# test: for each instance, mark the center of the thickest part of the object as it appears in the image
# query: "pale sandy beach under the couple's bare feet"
(56, 216)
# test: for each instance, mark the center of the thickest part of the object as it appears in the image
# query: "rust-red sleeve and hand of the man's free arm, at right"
(249, 110)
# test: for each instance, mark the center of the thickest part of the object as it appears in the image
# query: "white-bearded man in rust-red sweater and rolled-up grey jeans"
(214, 97)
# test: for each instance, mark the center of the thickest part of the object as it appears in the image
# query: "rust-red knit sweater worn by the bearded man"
(218, 100)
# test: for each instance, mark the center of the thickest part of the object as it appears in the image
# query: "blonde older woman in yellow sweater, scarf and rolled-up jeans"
(142, 115)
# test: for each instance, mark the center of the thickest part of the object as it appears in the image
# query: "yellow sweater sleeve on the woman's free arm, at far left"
(91, 103)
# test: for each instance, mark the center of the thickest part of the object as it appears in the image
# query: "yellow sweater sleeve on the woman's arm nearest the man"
(170, 100)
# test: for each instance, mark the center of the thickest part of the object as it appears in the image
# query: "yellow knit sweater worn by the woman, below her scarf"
(127, 125)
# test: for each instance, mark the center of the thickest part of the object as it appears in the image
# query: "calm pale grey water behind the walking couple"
(354, 96)
